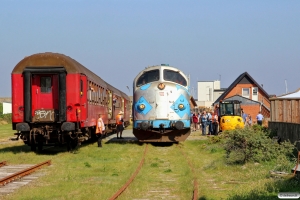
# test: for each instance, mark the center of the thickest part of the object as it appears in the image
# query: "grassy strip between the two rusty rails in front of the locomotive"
(167, 175)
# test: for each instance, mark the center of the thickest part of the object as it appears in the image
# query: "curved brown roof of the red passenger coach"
(55, 60)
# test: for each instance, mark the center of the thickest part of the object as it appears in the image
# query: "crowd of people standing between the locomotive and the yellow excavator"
(204, 120)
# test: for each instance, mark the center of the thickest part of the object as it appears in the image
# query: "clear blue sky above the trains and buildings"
(116, 39)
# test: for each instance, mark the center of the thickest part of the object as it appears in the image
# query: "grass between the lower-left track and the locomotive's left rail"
(90, 172)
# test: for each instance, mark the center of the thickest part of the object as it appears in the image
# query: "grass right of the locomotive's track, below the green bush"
(221, 181)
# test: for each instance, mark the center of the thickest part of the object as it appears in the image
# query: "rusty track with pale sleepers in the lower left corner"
(15, 176)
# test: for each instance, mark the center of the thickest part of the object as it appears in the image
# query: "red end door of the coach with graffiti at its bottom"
(45, 101)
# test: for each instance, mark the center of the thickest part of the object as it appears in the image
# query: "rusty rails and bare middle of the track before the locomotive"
(154, 190)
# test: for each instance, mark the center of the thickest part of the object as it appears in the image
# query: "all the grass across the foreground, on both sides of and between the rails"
(97, 173)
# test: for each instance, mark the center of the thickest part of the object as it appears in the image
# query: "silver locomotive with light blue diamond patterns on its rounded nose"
(161, 105)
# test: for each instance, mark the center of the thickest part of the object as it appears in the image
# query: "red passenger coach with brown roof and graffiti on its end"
(56, 100)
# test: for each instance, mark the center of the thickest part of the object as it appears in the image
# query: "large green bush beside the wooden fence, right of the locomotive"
(253, 144)
